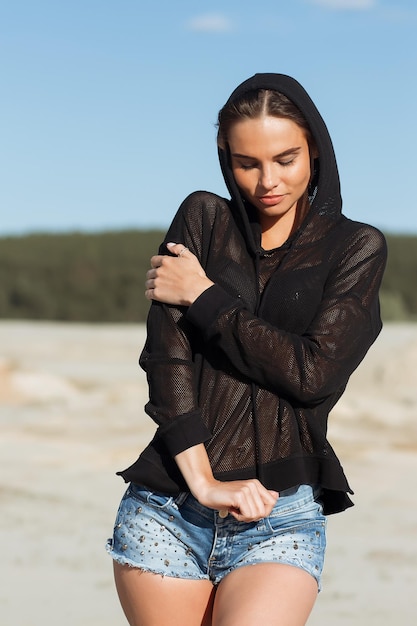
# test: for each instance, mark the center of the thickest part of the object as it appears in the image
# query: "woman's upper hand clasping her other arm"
(178, 280)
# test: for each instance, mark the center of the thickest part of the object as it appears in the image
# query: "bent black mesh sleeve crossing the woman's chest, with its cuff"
(308, 367)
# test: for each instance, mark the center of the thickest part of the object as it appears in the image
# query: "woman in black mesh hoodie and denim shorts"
(263, 306)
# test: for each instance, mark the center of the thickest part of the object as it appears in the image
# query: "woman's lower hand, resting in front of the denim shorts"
(246, 500)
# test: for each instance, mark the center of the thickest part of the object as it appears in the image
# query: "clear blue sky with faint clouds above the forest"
(108, 107)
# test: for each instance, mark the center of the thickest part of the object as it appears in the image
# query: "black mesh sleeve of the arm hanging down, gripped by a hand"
(168, 357)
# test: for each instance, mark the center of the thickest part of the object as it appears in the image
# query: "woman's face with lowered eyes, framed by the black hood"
(271, 165)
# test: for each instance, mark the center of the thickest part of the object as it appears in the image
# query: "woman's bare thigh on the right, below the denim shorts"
(270, 594)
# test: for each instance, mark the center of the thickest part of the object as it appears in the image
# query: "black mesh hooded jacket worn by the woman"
(254, 366)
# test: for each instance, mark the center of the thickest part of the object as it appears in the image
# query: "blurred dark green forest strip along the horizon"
(100, 277)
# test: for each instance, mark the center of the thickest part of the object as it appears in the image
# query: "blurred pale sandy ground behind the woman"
(71, 412)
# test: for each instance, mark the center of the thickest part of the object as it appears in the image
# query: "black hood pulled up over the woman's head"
(324, 193)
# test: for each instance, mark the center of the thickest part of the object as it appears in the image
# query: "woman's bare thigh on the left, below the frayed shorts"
(150, 599)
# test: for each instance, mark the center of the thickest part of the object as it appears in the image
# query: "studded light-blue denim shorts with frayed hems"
(176, 536)
